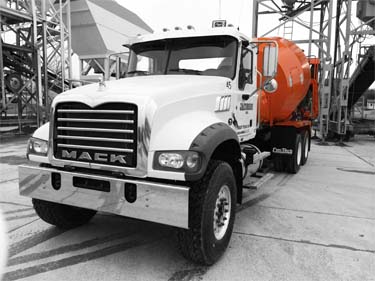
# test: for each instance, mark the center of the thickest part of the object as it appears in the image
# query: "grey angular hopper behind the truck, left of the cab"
(99, 28)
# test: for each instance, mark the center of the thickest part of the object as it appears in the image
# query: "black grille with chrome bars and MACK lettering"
(103, 134)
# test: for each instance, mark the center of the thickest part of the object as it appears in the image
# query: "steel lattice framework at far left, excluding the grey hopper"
(35, 49)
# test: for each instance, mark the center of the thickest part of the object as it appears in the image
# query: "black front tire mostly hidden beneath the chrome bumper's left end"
(62, 216)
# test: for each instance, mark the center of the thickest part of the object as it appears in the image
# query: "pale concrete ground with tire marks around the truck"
(316, 225)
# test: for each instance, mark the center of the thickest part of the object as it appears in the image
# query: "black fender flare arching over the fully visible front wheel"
(207, 142)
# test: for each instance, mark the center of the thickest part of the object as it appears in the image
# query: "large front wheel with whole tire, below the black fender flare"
(212, 206)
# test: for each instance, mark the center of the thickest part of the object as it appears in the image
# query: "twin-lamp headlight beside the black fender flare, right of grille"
(184, 161)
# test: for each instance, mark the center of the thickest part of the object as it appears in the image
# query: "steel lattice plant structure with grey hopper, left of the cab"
(38, 41)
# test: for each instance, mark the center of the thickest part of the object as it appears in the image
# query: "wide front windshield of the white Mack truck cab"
(211, 55)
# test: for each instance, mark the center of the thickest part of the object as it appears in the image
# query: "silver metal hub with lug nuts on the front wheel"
(222, 212)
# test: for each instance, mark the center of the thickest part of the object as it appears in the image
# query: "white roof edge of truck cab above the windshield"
(229, 31)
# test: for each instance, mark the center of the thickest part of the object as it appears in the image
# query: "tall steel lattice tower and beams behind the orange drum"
(335, 52)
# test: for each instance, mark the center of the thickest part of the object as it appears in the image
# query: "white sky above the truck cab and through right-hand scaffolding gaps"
(159, 14)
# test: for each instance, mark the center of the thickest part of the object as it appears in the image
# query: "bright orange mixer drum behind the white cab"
(293, 79)
